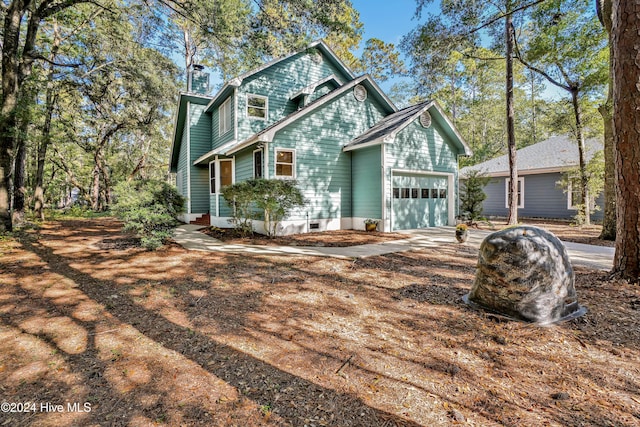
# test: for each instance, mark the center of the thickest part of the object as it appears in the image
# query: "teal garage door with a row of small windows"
(419, 201)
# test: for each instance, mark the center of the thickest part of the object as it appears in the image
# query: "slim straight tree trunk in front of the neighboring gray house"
(511, 133)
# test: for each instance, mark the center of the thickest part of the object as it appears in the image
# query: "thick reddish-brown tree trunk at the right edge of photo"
(626, 126)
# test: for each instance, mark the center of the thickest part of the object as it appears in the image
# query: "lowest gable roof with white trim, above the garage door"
(387, 128)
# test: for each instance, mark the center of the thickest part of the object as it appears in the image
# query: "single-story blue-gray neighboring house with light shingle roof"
(540, 168)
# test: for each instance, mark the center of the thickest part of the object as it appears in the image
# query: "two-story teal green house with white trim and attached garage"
(307, 117)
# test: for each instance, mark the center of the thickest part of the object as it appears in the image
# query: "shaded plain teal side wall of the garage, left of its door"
(367, 181)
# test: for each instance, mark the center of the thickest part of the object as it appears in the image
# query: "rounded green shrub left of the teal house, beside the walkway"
(148, 208)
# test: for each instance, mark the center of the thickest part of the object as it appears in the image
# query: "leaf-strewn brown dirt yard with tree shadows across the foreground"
(95, 331)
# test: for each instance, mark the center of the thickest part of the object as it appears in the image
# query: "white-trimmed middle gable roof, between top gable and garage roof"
(267, 134)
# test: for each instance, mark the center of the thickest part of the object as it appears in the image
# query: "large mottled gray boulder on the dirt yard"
(525, 273)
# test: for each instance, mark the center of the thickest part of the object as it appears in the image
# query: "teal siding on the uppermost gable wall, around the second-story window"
(279, 82)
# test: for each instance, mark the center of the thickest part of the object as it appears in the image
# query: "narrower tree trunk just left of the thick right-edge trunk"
(606, 110)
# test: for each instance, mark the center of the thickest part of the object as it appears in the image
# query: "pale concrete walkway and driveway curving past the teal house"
(189, 237)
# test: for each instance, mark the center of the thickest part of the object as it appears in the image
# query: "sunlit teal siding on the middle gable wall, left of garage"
(323, 170)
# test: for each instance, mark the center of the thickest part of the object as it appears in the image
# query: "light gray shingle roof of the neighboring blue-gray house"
(556, 154)
